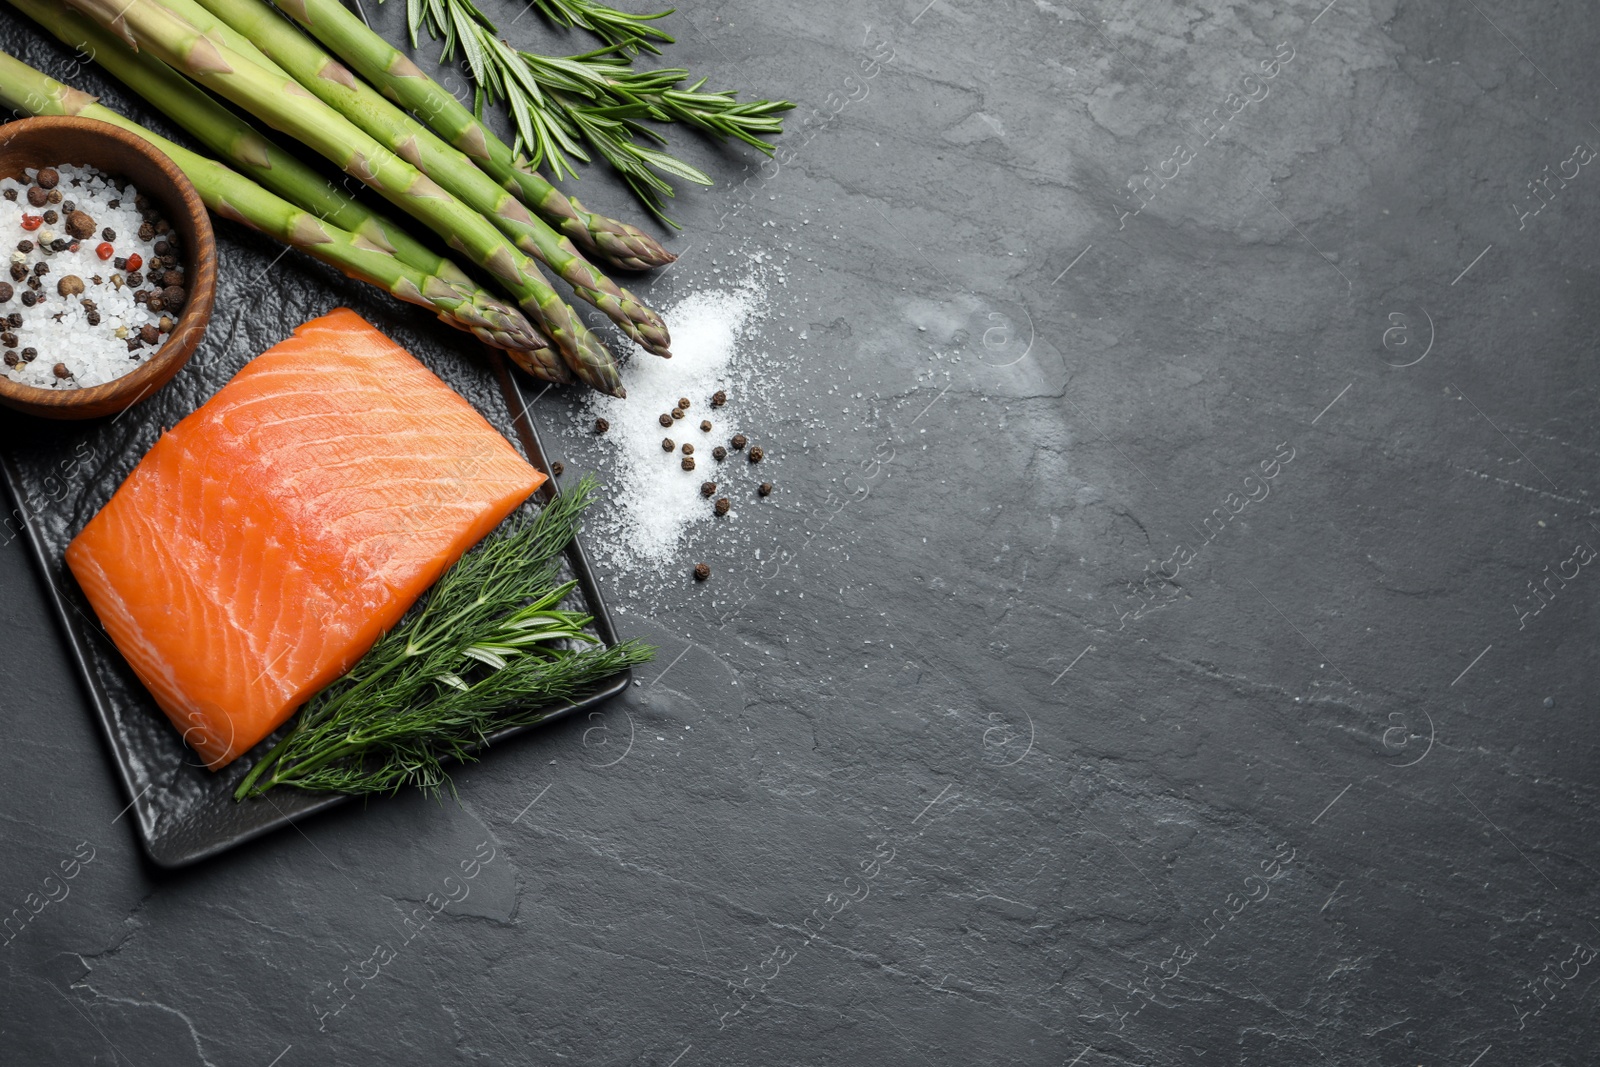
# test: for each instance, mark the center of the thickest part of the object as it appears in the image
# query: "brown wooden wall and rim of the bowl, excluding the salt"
(50, 142)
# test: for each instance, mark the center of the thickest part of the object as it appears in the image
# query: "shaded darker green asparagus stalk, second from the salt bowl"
(234, 140)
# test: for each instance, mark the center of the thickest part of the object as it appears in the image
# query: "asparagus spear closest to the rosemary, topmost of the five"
(404, 82)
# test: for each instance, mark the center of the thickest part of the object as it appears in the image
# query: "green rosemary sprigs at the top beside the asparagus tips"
(567, 110)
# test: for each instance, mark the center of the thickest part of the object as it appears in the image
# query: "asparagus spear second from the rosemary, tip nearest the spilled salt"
(242, 23)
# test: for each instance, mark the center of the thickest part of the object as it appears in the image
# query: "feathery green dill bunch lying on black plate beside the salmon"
(489, 649)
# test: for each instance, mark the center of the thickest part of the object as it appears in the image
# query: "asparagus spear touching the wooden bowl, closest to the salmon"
(234, 196)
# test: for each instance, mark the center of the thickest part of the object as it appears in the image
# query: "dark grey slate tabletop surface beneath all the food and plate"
(922, 788)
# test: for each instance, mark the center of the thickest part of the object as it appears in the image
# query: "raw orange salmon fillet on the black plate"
(268, 540)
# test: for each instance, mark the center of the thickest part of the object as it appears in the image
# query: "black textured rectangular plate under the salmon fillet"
(62, 474)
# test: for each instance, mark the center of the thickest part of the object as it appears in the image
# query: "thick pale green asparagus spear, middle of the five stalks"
(284, 105)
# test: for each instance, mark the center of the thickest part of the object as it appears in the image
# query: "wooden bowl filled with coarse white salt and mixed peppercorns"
(79, 370)
